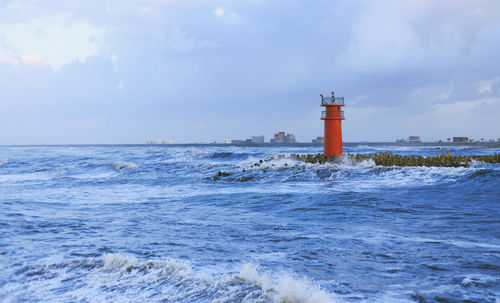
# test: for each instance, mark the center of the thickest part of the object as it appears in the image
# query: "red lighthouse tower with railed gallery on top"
(333, 116)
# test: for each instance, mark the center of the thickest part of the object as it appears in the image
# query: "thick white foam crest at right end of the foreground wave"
(284, 288)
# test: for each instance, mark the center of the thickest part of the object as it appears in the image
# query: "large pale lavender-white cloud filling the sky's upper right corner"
(399, 34)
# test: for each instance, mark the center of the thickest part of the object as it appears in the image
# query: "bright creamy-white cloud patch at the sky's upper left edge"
(55, 41)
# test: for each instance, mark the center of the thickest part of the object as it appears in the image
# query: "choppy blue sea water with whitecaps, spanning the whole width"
(150, 224)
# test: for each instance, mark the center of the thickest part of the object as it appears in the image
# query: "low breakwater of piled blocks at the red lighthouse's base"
(390, 159)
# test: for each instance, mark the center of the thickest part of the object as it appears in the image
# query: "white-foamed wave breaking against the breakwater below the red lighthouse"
(365, 174)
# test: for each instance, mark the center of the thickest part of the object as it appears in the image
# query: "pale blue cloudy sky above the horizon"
(125, 71)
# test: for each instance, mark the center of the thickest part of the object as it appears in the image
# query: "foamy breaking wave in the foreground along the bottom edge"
(125, 279)
